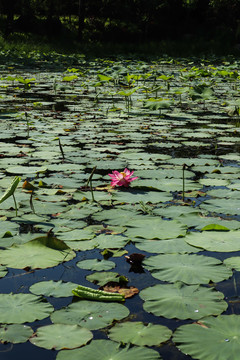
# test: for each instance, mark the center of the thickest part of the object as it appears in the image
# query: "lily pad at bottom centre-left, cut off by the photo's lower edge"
(106, 349)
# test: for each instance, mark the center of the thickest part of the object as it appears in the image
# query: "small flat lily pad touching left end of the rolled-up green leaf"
(53, 288)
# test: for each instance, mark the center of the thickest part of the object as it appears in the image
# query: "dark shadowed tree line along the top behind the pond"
(122, 20)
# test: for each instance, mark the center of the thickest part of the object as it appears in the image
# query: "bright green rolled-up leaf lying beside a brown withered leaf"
(97, 295)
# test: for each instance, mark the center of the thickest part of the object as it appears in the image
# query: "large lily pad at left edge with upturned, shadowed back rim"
(42, 252)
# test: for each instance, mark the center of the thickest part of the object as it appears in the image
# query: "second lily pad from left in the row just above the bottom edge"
(61, 336)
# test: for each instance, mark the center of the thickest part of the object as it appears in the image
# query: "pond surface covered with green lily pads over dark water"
(175, 123)
